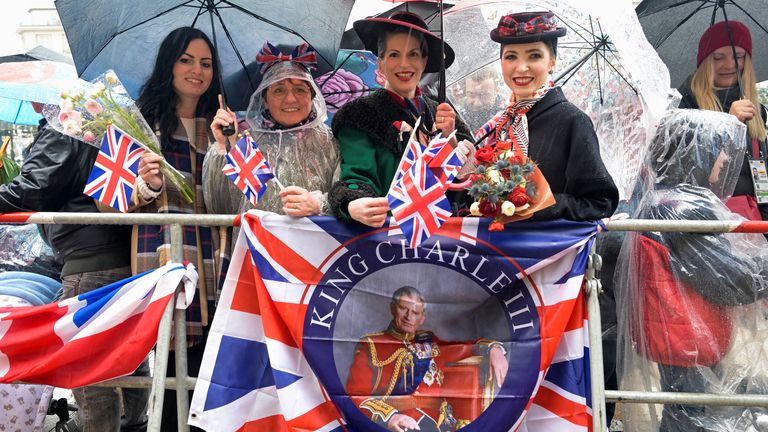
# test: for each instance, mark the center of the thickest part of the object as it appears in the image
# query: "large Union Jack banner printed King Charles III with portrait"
(324, 326)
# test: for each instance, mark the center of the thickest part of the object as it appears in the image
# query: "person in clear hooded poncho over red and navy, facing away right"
(683, 298)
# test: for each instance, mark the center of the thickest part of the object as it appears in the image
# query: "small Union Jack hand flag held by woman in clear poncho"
(248, 168)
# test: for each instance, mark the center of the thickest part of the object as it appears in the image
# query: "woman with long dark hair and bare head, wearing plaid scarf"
(179, 100)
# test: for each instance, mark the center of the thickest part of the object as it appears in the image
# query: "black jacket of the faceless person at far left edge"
(52, 179)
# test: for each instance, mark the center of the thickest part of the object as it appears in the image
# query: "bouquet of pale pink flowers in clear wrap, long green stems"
(86, 110)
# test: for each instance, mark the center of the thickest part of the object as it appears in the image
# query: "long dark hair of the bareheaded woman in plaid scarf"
(158, 99)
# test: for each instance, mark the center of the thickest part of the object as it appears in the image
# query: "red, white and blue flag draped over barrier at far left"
(93, 337)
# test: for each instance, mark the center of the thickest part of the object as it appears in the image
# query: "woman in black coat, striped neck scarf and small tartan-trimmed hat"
(539, 119)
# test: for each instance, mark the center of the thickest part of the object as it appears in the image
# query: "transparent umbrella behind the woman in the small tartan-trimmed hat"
(605, 67)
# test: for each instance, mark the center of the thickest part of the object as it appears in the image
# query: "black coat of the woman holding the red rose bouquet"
(563, 143)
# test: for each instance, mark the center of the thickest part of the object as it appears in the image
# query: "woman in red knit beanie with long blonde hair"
(715, 86)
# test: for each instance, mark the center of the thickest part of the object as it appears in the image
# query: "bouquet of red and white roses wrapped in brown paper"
(506, 185)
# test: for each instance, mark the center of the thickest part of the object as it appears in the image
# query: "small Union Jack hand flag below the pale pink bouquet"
(115, 170)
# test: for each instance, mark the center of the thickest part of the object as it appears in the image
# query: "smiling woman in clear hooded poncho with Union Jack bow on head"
(285, 118)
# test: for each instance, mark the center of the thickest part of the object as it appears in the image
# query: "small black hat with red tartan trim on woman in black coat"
(527, 27)
